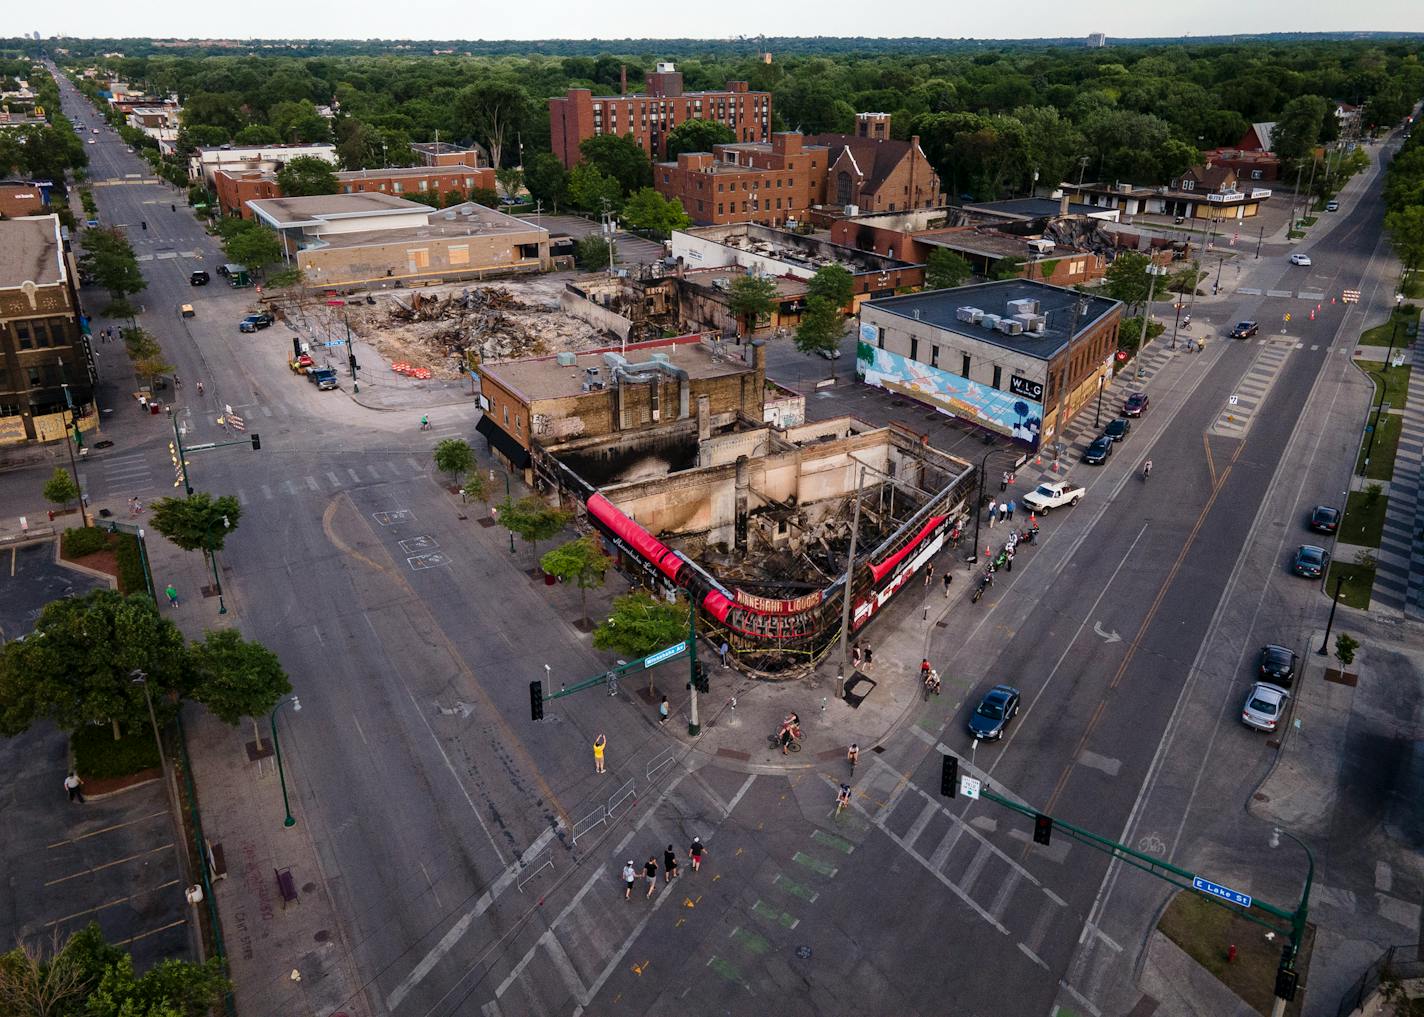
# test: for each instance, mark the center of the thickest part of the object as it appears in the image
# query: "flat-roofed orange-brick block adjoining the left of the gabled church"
(748, 183)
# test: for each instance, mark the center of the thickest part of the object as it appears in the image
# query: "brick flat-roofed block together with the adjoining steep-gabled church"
(777, 183)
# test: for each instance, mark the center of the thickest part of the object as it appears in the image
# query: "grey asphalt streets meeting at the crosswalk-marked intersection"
(425, 787)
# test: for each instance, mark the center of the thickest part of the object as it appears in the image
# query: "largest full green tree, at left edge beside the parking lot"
(79, 663)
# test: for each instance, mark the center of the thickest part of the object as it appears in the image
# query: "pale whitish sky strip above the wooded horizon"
(727, 19)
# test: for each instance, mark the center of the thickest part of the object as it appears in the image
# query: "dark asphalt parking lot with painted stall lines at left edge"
(113, 861)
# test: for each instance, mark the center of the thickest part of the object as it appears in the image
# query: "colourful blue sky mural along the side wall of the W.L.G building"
(1005, 412)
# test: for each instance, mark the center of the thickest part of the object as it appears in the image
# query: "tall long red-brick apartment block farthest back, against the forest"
(650, 116)
